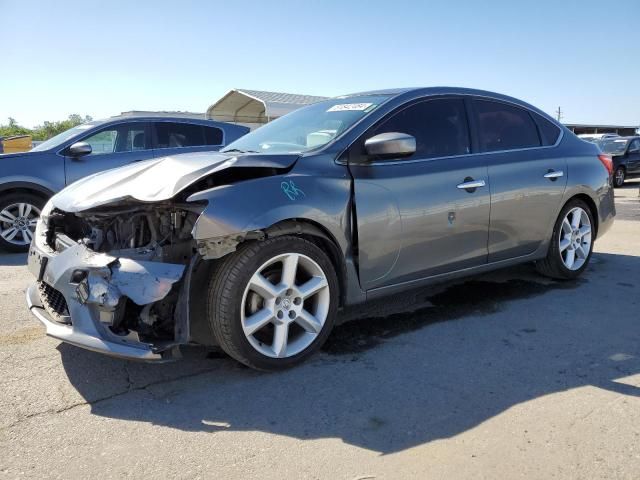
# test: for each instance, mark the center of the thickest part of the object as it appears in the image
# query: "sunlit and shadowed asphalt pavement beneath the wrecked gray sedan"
(501, 376)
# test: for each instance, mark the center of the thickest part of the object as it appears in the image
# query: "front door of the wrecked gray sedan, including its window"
(414, 216)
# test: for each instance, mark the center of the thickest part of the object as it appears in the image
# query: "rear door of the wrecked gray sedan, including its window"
(527, 176)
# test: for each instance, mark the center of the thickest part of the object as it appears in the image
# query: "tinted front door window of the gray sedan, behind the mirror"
(439, 127)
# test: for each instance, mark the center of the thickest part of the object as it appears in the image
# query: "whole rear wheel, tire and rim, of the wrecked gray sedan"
(571, 243)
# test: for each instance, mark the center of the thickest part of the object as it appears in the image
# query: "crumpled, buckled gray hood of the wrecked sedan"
(156, 180)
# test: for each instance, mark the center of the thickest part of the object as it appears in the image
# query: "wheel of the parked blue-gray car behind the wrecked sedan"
(19, 213)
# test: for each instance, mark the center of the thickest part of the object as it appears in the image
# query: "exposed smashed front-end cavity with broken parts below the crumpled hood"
(145, 250)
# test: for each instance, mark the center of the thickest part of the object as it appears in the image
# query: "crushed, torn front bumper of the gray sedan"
(77, 292)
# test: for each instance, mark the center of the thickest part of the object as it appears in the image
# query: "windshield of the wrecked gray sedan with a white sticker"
(309, 127)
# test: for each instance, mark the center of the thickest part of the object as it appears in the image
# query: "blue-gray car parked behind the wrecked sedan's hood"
(28, 180)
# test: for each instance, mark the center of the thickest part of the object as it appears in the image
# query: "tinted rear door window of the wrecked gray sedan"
(504, 127)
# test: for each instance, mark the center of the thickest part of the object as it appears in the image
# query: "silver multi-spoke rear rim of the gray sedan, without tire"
(575, 238)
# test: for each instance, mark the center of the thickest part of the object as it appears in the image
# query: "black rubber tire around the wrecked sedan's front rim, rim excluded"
(265, 251)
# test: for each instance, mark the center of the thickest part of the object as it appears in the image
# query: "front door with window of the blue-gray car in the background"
(111, 146)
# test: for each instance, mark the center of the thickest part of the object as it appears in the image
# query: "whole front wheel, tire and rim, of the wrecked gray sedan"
(272, 304)
